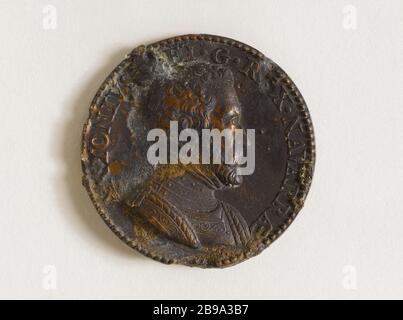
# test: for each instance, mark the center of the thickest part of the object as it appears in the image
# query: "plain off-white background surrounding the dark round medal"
(346, 243)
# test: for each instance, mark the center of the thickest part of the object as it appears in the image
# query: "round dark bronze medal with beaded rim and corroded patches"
(197, 215)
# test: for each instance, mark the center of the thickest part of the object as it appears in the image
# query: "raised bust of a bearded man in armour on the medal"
(178, 200)
